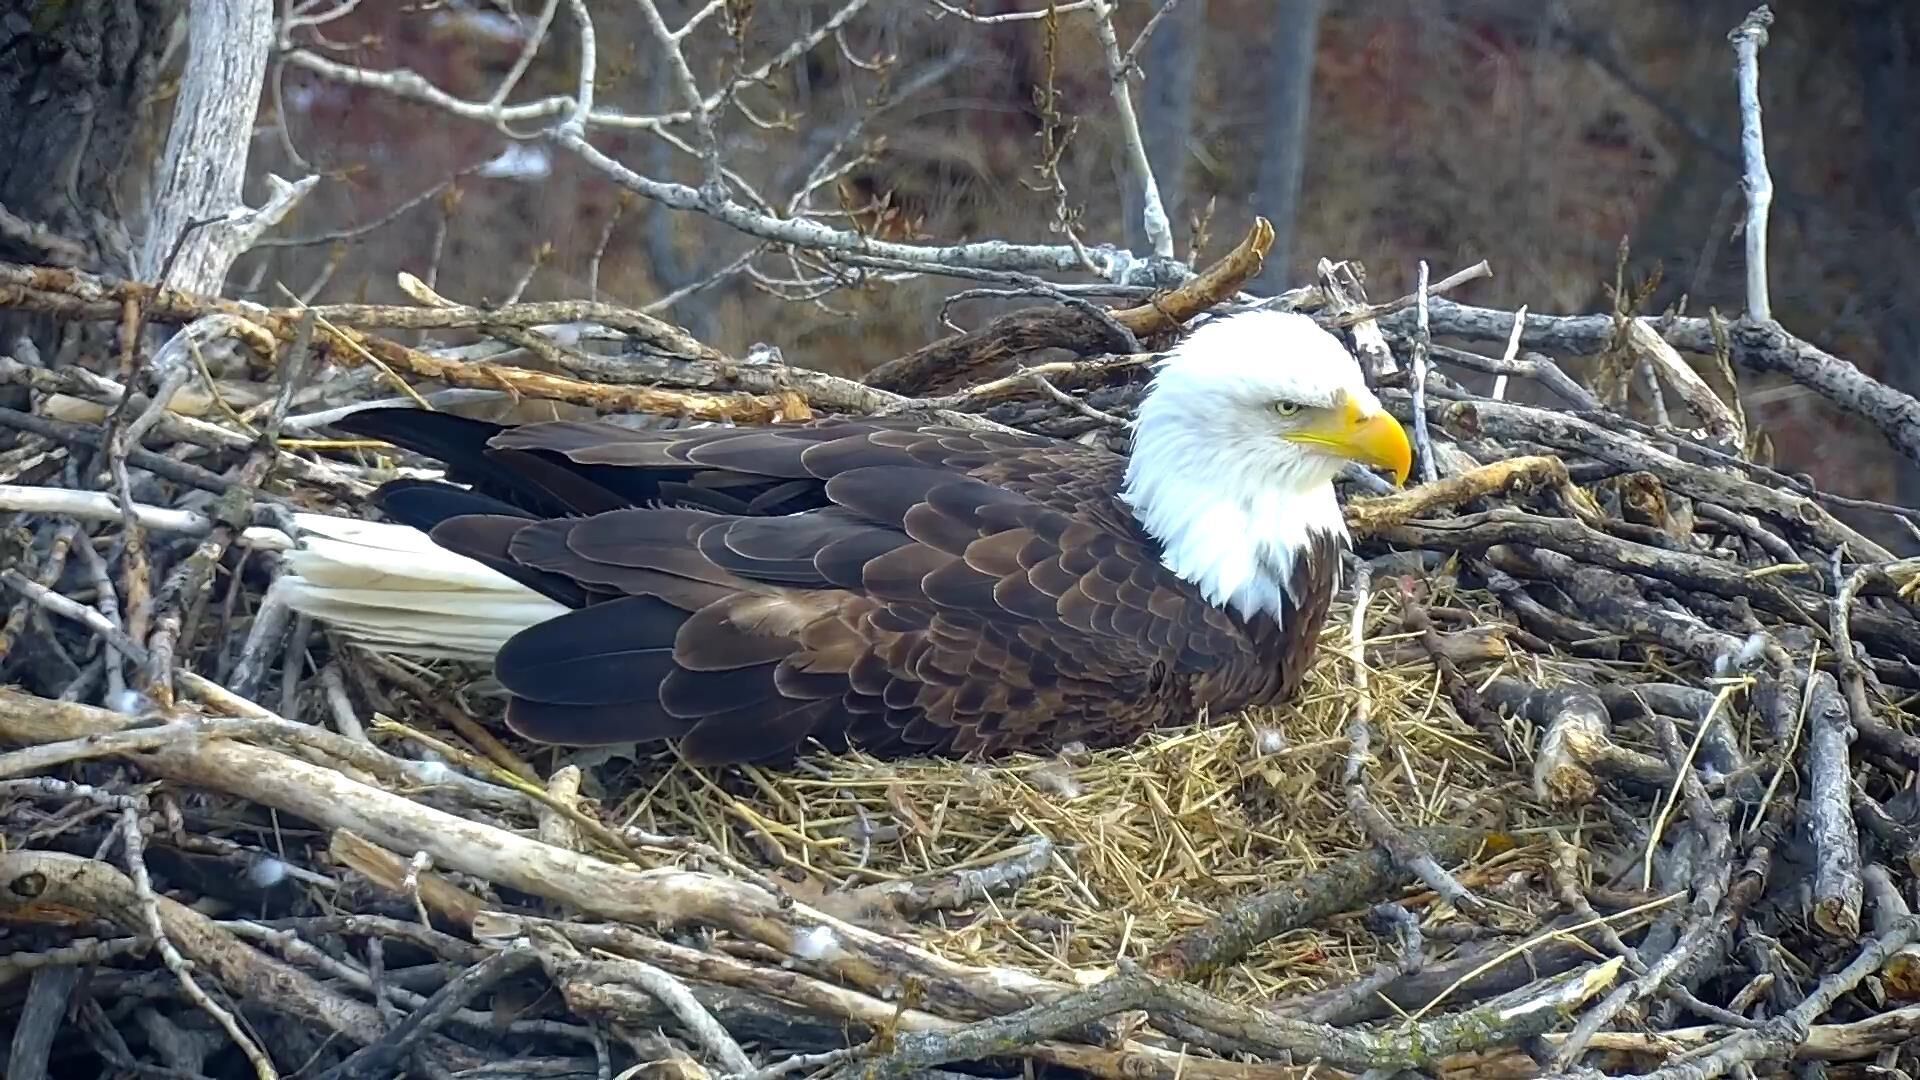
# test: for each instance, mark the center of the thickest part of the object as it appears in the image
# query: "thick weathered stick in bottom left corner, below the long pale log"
(51, 879)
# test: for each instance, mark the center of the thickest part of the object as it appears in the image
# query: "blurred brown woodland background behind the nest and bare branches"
(1533, 134)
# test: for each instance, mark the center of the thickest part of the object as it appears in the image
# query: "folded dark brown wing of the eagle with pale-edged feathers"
(882, 585)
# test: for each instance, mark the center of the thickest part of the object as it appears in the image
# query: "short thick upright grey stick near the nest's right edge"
(1836, 881)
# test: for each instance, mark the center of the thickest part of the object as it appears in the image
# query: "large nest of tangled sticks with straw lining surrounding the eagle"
(1606, 762)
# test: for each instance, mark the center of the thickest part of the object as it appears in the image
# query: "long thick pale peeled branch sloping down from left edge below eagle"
(663, 896)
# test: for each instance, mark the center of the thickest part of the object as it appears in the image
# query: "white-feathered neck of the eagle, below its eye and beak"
(1234, 516)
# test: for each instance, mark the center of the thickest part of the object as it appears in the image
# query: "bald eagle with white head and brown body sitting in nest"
(886, 585)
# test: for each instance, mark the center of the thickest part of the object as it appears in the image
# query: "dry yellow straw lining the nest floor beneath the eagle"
(1063, 866)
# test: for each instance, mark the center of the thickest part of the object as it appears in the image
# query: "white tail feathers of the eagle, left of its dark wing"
(393, 589)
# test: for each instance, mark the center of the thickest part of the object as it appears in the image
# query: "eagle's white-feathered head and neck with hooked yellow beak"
(1237, 445)
